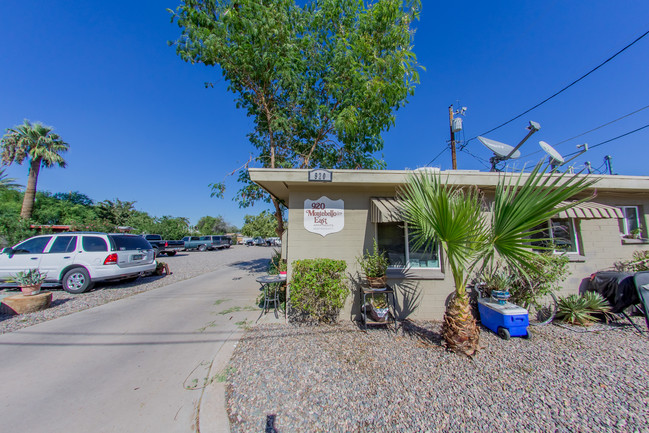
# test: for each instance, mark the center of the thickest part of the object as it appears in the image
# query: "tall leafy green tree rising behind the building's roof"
(321, 81)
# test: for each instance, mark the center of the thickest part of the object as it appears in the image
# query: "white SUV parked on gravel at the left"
(76, 260)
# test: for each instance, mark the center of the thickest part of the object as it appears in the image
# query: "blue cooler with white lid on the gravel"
(506, 320)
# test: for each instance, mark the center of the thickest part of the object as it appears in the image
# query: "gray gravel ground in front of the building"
(341, 379)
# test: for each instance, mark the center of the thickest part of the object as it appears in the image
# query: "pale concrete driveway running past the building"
(154, 362)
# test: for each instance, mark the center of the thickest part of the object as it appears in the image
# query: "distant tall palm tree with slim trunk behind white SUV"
(41, 146)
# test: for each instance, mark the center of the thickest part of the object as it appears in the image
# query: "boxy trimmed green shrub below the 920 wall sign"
(318, 290)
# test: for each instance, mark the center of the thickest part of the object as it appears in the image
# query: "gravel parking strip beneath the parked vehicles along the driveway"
(183, 266)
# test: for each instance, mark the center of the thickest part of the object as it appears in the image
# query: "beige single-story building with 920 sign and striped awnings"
(338, 213)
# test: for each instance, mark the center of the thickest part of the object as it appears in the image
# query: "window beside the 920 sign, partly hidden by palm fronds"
(393, 238)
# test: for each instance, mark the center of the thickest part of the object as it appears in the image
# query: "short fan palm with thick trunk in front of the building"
(458, 218)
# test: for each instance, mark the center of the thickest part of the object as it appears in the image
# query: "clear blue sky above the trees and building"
(142, 127)
